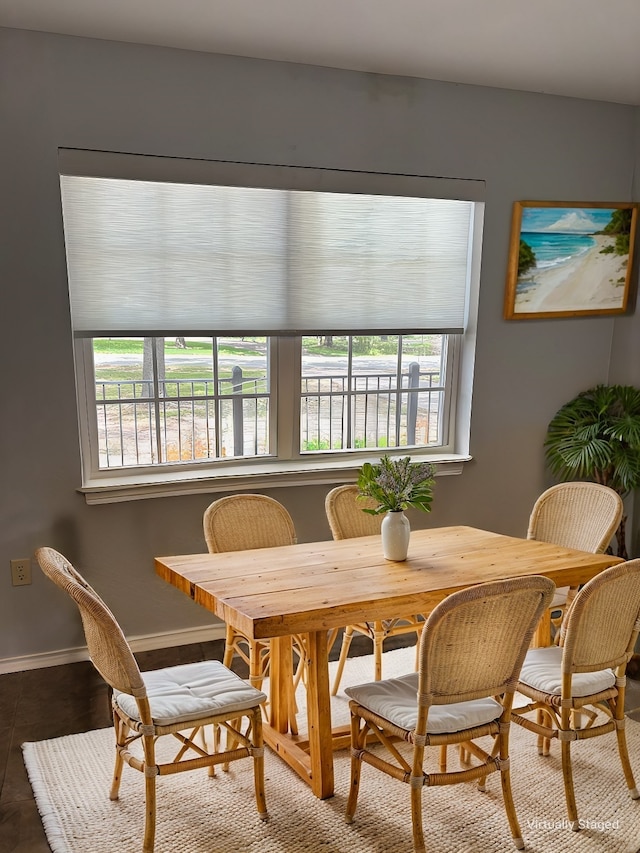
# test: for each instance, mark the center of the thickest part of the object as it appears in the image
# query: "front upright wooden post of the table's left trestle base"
(319, 715)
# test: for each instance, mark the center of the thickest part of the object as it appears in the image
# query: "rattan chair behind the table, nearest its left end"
(237, 523)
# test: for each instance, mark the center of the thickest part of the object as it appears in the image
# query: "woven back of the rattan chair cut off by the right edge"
(602, 625)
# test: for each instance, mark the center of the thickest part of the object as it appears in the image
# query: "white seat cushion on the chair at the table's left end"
(191, 691)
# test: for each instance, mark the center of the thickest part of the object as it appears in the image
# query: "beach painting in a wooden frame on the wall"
(569, 259)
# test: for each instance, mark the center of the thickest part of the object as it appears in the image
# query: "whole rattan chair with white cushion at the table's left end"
(179, 701)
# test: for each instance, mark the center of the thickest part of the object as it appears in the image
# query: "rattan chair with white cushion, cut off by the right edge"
(585, 673)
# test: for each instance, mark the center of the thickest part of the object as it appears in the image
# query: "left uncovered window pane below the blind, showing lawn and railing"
(175, 399)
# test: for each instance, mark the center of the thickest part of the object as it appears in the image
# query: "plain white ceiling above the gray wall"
(580, 48)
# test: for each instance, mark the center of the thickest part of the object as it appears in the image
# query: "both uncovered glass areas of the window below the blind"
(194, 399)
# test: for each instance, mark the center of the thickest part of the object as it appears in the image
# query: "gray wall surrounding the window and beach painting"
(63, 91)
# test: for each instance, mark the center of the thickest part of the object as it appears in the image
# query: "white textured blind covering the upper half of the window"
(161, 256)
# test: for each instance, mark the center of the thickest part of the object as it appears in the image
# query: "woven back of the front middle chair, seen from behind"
(474, 642)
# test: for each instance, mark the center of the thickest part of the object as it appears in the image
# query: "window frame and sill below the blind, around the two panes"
(291, 467)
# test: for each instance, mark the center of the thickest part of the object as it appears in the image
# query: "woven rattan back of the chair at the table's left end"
(109, 651)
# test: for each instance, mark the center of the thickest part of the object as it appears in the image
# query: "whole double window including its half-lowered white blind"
(233, 319)
